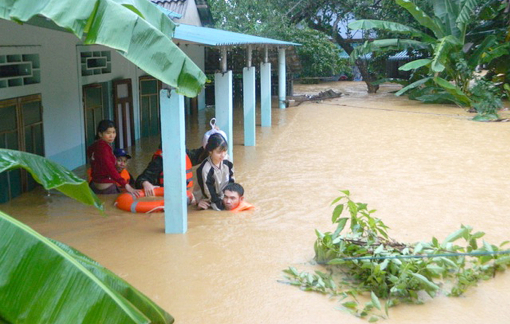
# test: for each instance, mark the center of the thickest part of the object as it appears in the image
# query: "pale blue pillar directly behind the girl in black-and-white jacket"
(224, 106)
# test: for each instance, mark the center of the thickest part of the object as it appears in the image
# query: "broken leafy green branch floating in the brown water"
(365, 261)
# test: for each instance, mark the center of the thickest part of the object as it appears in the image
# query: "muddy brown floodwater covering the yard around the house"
(427, 169)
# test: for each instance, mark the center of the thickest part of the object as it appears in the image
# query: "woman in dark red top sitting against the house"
(102, 162)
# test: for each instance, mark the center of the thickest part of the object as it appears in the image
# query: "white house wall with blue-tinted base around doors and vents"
(61, 85)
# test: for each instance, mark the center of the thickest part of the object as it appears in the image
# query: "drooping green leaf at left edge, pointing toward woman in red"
(50, 174)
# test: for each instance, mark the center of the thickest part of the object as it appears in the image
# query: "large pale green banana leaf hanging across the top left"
(136, 28)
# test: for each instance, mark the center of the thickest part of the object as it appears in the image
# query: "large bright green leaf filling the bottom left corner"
(42, 283)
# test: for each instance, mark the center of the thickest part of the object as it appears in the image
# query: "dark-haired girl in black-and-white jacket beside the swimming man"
(215, 172)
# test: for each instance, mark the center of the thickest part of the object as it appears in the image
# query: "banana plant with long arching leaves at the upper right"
(450, 59)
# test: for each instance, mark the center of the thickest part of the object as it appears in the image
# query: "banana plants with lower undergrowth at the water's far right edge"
(454, 39)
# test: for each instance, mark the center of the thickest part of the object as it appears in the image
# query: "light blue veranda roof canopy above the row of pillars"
(216, 37)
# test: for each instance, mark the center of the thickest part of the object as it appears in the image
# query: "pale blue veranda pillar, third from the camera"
(249, 106)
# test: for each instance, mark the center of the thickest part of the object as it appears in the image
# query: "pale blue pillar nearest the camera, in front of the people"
(174, 161)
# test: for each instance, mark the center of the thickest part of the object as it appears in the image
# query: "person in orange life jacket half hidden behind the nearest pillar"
(152, 176)
